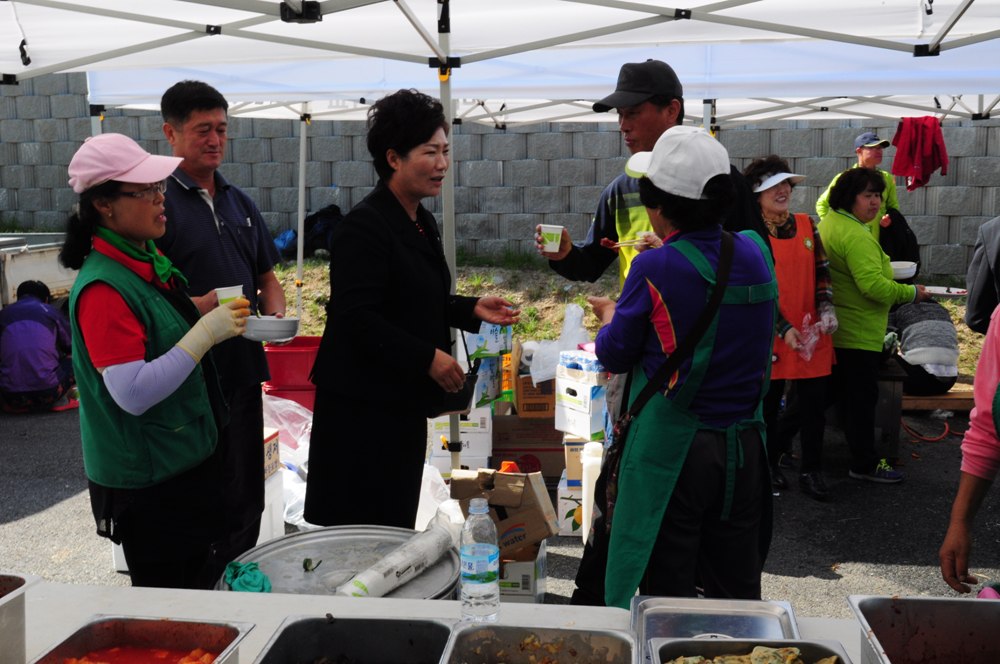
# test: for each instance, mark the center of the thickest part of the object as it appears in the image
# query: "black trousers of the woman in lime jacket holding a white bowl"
(855, 387)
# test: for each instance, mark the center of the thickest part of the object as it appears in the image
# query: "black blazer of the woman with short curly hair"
(390, 305)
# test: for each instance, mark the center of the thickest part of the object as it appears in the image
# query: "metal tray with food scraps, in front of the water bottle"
(509, 644)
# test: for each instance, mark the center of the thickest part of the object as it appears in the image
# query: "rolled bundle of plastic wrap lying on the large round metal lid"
(410, 558)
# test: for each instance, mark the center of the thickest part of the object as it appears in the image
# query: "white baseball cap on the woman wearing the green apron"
(682, 161)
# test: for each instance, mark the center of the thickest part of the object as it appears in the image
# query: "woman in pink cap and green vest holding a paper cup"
(150, 406)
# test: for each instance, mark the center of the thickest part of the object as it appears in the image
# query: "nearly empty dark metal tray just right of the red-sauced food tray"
(356, 640)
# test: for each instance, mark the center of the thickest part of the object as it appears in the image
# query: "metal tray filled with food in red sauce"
(110, 631)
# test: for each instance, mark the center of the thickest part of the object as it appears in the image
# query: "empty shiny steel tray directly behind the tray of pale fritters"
(680, 618)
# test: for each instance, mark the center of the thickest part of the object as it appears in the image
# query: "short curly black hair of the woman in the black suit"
(402, 121)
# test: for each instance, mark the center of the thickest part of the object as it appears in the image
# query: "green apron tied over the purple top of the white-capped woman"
(658, 442)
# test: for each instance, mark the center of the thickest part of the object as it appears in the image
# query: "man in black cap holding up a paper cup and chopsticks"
(649, 100)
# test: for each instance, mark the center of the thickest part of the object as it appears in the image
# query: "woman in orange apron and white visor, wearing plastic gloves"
(803, 348)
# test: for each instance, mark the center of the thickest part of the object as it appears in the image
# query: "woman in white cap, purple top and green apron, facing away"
(693, 506)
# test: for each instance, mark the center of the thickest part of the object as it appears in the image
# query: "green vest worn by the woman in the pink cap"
(124, 451)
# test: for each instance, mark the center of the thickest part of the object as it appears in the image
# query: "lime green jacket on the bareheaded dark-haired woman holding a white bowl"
(863, 288)
